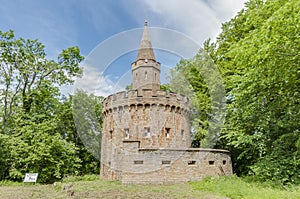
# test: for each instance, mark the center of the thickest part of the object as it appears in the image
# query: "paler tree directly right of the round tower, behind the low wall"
(198, 79)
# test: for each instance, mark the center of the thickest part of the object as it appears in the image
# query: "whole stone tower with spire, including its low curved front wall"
(146, 131)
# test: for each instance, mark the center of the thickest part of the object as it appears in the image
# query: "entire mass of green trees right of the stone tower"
(257, 56)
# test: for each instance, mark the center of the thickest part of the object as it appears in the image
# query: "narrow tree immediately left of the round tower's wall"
(87, 110)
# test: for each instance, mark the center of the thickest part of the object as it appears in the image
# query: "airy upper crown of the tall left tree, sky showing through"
(26, 74)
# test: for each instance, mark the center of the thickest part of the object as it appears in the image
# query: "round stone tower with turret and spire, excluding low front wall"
(143, 118)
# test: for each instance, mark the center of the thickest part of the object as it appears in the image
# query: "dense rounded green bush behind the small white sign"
(38, 147)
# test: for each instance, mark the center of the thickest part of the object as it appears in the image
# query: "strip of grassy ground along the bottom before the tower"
(91, 187)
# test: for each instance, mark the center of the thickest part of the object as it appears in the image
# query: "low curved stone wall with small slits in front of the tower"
(173, 165)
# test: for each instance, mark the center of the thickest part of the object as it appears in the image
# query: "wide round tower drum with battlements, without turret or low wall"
(156, 119)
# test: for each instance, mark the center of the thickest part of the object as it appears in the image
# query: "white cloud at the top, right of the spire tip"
(198, 19)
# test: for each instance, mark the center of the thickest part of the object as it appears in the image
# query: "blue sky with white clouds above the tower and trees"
(59, 24)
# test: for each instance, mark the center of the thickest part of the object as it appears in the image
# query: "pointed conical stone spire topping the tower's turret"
(145, 50)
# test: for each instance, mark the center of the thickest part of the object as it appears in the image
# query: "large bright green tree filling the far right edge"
(258, 55)
